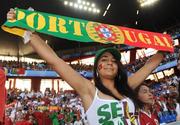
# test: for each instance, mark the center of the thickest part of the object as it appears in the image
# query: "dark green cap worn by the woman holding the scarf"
(112, 50)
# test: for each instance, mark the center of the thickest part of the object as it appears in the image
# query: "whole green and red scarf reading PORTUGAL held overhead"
(85, 31)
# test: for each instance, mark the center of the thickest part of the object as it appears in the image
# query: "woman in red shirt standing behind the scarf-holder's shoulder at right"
(146, 114)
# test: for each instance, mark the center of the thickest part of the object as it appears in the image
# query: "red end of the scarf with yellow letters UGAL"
(140, 38)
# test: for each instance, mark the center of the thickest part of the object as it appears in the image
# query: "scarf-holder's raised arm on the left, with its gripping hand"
(75, 80)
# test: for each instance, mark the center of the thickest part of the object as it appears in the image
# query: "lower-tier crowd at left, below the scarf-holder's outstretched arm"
(50, 107)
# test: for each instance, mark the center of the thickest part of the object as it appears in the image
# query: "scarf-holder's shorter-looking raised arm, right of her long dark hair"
(139, 77)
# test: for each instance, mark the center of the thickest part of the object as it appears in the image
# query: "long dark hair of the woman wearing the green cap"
(121, 82)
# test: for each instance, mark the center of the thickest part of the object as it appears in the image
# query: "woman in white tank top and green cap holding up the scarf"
(109, 101)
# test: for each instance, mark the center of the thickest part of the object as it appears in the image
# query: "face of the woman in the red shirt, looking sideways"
(145, 95)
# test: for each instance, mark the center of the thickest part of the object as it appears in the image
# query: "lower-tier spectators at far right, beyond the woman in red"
(166, 98)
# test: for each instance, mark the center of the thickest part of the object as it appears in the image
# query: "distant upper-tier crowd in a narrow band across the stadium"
(15, 67)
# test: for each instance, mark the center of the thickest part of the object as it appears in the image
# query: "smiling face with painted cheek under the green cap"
(107, 66)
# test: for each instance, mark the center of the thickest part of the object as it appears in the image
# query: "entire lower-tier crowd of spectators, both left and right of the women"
(65, 107)
